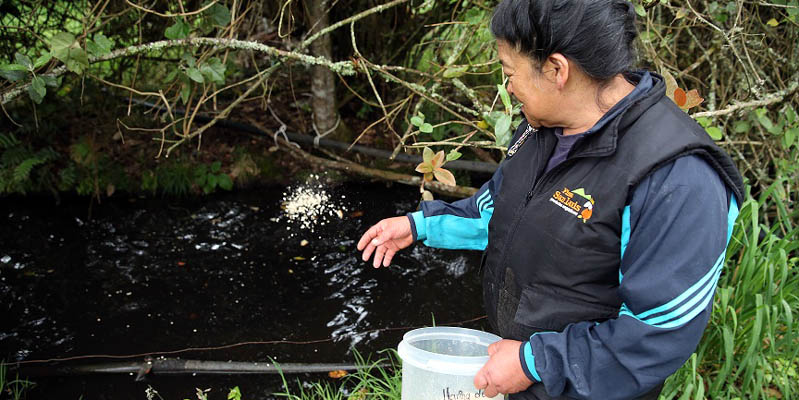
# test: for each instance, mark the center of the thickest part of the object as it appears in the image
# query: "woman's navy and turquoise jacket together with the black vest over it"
(605, 266)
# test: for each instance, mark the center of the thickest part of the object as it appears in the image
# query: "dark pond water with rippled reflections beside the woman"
(152, 275)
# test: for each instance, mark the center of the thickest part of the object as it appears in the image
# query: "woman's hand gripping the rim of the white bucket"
(503, 371)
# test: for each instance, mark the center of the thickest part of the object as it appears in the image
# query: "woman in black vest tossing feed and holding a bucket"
(604, 229)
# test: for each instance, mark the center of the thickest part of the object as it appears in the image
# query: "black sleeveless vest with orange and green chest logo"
(554, 244)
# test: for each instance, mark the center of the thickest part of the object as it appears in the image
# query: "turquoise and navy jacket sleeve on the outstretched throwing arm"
(462, 224)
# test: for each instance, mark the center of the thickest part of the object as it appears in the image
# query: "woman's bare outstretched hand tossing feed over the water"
(384, 239)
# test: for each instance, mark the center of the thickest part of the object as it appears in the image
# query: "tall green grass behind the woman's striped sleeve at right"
(750, 346)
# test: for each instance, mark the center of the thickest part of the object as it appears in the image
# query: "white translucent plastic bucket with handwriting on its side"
(440, 363)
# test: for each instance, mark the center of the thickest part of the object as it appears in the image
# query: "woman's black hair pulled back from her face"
(598, 35)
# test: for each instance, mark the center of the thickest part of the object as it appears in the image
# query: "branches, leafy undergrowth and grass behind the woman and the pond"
(189, 97)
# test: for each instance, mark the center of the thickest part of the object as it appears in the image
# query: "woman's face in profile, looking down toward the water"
(532, 88)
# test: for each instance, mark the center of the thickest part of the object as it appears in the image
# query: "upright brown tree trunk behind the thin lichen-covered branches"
(323, 85)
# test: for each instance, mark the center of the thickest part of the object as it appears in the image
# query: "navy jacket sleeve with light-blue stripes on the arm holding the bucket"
(673, 243)
